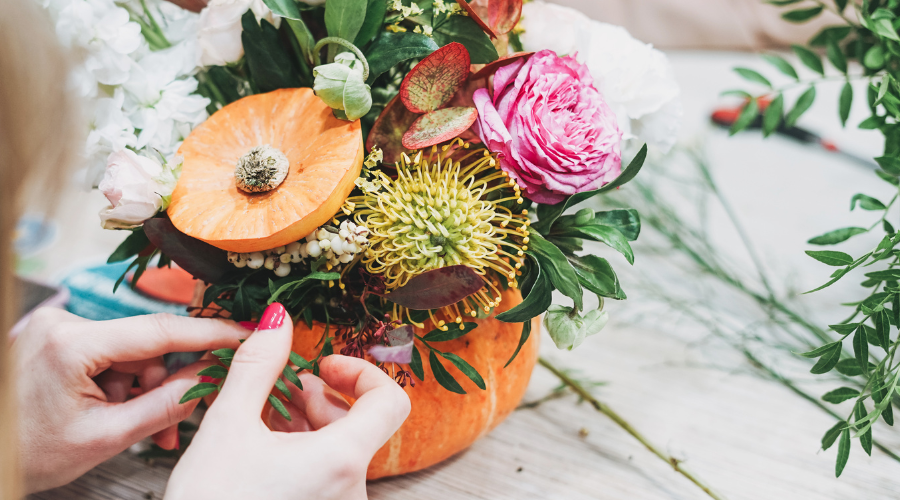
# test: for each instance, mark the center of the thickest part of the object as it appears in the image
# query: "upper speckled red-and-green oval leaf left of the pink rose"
(434, 81)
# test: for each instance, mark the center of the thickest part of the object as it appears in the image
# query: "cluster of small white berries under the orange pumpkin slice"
(339, 246)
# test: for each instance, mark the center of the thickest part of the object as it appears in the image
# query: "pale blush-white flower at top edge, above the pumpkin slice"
(220, 29)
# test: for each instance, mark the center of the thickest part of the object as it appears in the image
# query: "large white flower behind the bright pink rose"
(636, 80)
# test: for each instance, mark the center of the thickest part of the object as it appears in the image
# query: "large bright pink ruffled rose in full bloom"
(554, 133)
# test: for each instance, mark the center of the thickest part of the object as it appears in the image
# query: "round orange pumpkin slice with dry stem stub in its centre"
(294, 161)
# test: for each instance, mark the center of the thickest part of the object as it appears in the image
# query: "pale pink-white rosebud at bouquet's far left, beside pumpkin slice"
(132, 186)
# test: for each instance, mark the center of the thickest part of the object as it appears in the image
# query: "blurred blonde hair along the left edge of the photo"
(39, 137)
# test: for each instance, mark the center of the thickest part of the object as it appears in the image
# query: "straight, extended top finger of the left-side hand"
(144, 337)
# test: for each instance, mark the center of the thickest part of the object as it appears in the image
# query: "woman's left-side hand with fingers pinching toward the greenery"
(74, 378)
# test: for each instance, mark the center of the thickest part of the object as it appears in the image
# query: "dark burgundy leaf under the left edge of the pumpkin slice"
(204, 261)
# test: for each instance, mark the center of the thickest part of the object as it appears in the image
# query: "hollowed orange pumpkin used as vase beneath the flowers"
(443, 423)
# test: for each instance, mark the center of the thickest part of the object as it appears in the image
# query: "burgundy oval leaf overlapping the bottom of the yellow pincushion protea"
(438, 288)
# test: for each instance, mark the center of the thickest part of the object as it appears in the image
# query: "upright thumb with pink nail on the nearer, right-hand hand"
(257, 363)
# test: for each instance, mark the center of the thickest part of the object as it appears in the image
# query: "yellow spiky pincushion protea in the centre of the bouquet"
(439, 212)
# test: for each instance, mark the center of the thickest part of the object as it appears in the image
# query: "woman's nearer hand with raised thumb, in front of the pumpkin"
(234, 454)
